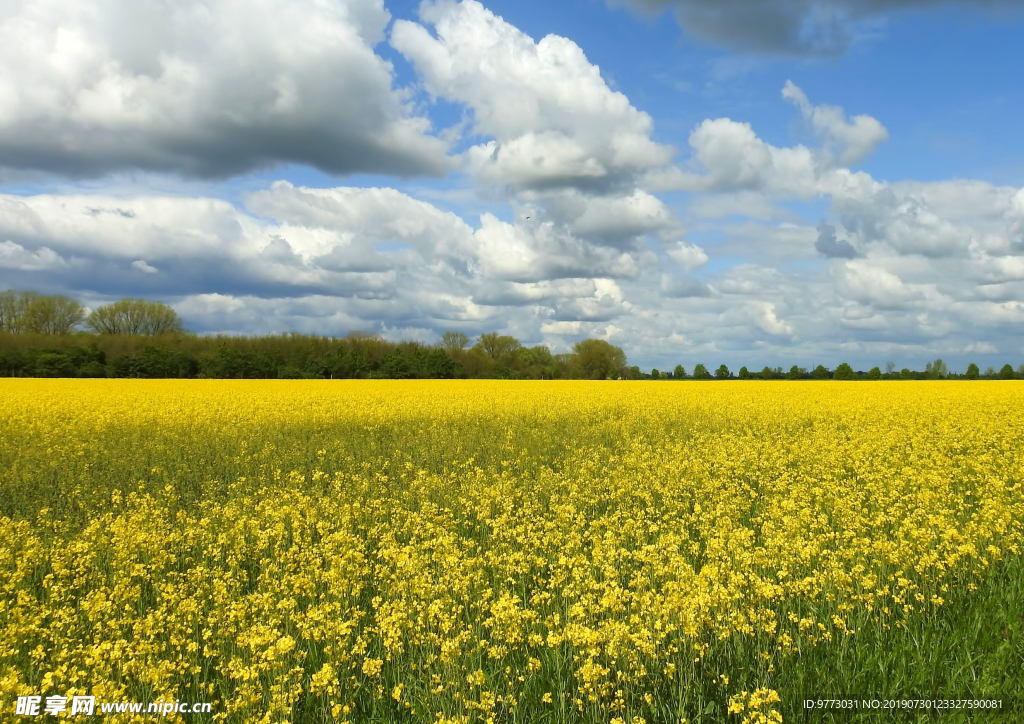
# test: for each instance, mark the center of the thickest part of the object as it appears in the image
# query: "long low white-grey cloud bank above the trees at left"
(366, 245)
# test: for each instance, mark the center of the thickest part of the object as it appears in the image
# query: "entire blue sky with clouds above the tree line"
(759, 183)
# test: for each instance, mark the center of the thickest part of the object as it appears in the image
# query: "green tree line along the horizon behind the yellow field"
(136, 338)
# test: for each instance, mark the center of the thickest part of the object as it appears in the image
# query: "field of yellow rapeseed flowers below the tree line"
(473, 551)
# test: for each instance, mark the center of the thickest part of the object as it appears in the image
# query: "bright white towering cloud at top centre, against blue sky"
(553, 120)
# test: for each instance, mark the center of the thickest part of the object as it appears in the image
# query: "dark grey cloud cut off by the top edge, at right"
(788, 27)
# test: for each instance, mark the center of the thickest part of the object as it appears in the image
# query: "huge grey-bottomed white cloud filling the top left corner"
(204, 89)
